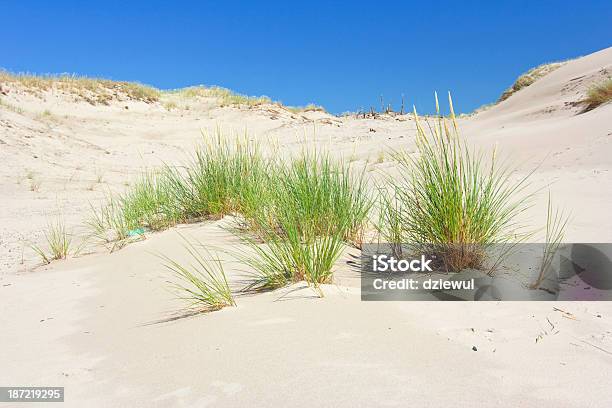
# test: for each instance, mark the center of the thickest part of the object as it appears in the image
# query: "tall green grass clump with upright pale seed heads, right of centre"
(451, 202)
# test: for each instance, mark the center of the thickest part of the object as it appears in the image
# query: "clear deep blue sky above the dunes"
(342, 55)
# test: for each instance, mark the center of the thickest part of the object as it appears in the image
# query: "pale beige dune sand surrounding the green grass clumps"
(102, 325)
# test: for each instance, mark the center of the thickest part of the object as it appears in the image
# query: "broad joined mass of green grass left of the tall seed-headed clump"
(295, 216)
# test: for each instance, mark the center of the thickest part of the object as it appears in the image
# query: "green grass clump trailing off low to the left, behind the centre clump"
(223, 178)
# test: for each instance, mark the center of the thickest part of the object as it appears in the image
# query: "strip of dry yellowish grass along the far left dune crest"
(92, 90)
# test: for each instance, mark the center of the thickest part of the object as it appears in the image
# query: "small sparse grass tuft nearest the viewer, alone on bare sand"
(202, 282)
